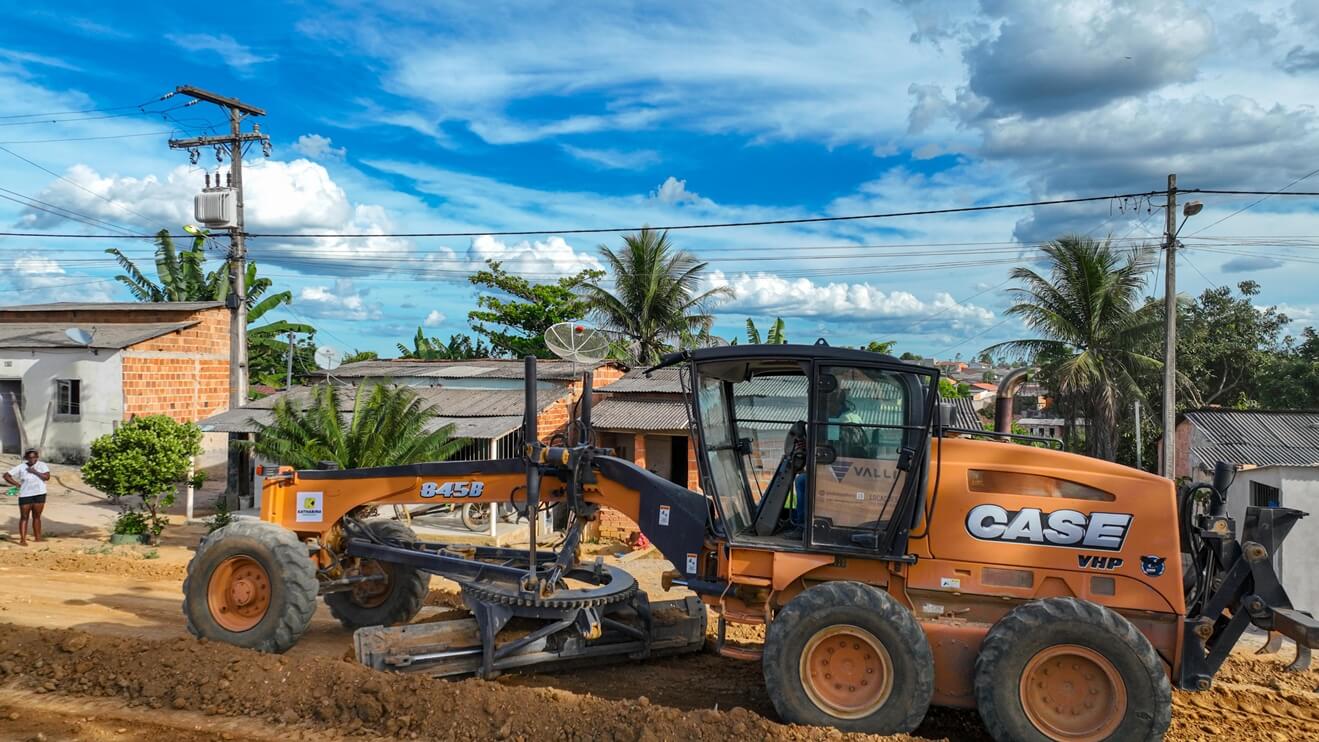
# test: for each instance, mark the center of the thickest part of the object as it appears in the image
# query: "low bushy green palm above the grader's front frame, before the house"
(387, 426)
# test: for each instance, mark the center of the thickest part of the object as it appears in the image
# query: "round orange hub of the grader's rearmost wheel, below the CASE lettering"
(1073, 693)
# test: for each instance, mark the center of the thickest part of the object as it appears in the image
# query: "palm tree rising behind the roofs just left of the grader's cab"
(656, 297)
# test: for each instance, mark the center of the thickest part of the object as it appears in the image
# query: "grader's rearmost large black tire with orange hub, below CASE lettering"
(1066, 669)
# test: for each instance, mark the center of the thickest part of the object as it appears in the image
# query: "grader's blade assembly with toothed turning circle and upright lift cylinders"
(531, 607)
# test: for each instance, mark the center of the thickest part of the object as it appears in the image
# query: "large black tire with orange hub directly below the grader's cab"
(849, 656)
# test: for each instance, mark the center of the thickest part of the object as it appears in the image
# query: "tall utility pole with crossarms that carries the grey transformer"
(233, 144)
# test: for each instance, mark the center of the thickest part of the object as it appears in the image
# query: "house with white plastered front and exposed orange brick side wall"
(72, 372)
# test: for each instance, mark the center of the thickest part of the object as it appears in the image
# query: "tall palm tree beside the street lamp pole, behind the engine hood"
(1093, 324)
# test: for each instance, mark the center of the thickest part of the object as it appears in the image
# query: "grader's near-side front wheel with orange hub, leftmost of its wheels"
(251, 585)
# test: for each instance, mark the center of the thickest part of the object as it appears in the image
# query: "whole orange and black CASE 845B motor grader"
(896, 562)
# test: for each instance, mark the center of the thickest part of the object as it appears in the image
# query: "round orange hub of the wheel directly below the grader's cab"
(846, 671)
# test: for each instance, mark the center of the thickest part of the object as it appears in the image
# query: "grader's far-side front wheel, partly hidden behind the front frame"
(396, 600)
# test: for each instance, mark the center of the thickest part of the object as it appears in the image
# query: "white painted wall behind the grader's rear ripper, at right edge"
(1299, 559)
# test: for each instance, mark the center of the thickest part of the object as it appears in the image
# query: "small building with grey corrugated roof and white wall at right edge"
(1277, 454)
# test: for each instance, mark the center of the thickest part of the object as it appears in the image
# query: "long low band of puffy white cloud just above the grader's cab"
(768, 295)
